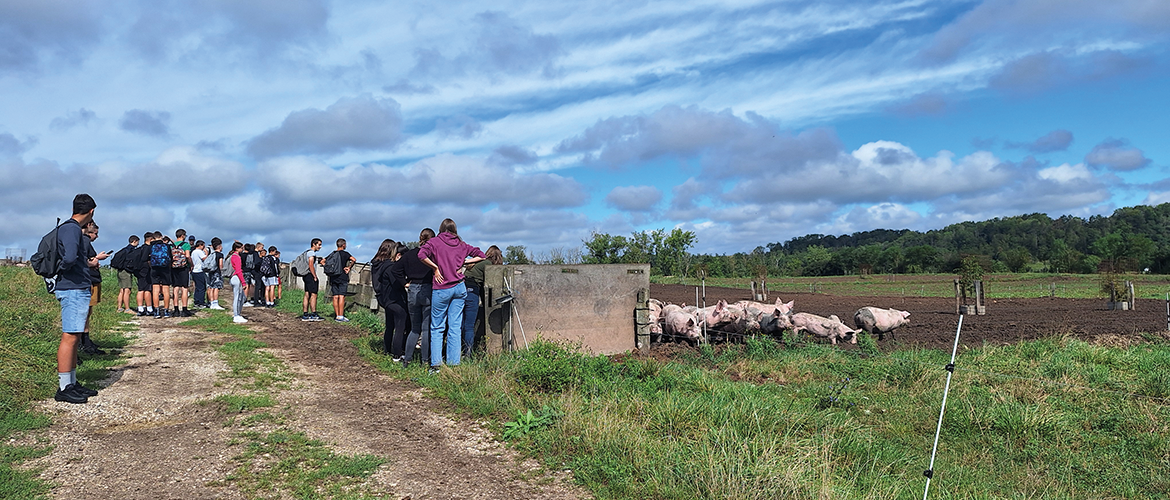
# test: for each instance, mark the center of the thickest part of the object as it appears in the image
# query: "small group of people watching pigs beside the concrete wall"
(435, 289)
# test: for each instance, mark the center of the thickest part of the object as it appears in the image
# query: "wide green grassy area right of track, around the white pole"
(1051, 419)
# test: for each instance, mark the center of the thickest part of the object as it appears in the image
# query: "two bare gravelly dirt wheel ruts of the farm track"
(144, 436)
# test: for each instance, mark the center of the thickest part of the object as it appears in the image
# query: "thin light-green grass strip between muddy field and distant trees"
(996, 286)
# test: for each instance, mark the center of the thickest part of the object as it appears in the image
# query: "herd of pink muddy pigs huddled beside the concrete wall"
(741, 318)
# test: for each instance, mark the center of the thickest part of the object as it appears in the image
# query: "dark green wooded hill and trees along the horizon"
(1132, 239)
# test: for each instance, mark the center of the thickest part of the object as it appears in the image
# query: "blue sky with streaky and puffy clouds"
(541, 124)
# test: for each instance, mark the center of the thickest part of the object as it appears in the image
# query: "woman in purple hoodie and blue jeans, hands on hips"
(446, 255)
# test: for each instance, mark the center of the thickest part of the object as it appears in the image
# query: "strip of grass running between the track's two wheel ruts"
(276, 460)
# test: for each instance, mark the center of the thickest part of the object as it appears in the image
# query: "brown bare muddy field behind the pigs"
(933, 320)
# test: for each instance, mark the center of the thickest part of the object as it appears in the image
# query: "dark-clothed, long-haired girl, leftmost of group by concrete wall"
(390, 286)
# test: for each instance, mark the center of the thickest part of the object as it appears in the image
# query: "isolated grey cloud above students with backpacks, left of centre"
(353, 124)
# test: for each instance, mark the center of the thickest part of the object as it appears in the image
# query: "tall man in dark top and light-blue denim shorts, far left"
(73, 291)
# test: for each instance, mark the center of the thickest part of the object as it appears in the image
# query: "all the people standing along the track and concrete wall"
(431, 293)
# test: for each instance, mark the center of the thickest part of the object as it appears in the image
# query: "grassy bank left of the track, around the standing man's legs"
(30, 334)
